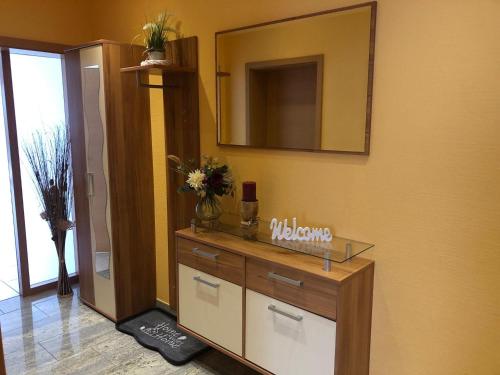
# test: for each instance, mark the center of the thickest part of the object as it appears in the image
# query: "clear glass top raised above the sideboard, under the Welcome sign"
(338, 250)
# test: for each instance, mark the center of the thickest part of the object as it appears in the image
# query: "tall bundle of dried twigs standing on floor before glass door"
(49, 157)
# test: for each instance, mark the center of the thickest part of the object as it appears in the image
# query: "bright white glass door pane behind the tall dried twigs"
(37, 81)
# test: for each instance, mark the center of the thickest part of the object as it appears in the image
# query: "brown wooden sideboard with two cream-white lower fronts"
(273, 309)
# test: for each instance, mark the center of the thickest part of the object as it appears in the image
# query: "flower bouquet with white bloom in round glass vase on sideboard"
(211, 181)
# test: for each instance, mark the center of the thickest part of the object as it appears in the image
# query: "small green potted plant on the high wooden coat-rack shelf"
(156, 35)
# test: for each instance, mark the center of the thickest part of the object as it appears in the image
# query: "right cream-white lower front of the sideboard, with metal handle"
(287, 340)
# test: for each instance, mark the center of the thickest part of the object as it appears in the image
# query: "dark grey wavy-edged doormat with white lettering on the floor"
(157, 330)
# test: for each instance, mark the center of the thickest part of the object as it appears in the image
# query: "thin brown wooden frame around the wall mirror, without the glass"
(369, 94)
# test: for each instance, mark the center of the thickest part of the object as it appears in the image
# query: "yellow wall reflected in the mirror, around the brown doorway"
(343, 39)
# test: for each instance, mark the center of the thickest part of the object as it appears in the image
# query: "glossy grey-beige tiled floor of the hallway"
(48, 335)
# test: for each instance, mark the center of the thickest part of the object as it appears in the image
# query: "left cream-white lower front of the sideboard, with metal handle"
(211, 307)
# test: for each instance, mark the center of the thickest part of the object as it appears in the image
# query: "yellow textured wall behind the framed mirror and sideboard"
(427, 195)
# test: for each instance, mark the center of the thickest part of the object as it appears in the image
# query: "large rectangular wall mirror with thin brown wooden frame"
(303, 83)
